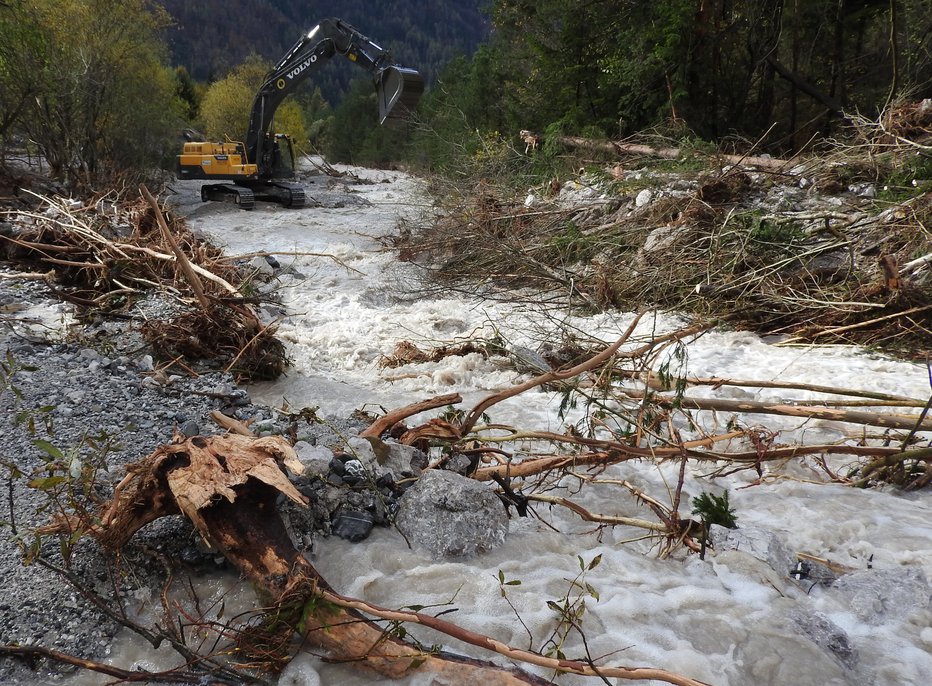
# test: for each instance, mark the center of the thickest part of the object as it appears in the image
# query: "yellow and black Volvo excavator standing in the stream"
(257, 167)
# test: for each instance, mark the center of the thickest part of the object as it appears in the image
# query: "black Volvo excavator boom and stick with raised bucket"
(398, 89)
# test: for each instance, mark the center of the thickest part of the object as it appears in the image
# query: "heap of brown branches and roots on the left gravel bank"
(108, 254)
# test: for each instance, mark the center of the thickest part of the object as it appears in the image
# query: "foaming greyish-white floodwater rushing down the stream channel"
(731, 619)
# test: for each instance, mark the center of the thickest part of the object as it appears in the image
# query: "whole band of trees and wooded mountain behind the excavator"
(97, 86)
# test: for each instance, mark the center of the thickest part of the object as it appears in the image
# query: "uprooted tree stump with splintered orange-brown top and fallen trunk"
(227, 486)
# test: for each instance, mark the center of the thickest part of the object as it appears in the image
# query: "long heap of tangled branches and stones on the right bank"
(834, 248)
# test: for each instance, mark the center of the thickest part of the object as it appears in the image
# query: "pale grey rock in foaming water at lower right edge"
(879, 595)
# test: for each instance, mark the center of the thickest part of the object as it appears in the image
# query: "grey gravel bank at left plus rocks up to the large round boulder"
(90, 398)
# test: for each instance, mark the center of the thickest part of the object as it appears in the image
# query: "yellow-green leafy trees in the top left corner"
(99, 97)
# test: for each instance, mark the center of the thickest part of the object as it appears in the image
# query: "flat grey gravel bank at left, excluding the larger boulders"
(94, 395)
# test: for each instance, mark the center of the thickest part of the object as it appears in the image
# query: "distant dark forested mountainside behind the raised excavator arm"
(211, 36)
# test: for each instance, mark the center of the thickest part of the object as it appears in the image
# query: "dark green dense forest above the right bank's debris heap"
(723, 67)
